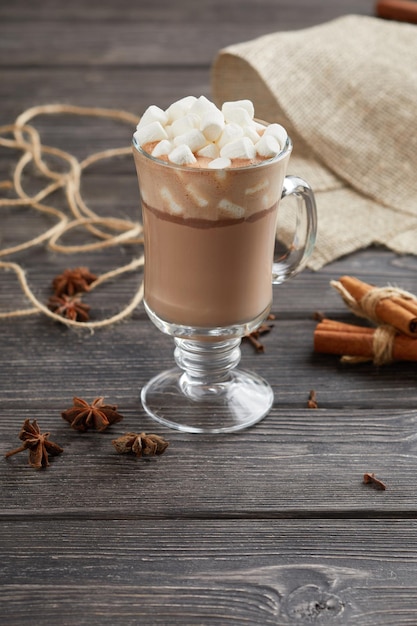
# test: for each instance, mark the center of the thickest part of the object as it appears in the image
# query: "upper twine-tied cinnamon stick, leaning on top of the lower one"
(388, 305)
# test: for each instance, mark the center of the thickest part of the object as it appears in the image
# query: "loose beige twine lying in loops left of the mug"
(27, 139)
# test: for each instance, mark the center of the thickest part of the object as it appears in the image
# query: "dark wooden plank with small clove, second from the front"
(295, 463)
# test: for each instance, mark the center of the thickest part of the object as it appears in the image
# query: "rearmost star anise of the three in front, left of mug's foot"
(96, 415)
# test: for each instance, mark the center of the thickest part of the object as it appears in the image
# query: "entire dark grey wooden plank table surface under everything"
(272, 525)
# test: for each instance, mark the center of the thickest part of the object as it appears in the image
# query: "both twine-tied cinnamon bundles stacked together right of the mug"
(395, 336)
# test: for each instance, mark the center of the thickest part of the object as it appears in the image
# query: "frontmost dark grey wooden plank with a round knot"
(252, 572)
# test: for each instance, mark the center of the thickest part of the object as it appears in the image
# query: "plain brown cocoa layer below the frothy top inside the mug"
(208, 275)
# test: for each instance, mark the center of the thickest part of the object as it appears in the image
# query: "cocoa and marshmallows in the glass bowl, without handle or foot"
(210, 183)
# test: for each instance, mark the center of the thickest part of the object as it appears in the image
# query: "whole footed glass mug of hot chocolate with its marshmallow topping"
(210, 182)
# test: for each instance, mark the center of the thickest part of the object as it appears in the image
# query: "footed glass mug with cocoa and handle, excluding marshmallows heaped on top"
(209, 240)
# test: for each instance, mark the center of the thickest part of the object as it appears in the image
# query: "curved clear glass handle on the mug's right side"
(299, 250)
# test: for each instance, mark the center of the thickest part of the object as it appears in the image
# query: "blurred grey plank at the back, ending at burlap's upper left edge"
(119, 43)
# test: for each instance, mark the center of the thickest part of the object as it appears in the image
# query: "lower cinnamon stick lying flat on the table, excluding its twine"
(357, 341)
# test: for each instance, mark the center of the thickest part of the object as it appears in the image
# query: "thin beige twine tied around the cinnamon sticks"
(384, 335)
